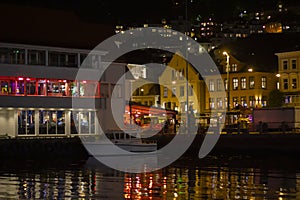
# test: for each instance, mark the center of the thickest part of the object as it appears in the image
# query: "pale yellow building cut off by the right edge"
(289, 76)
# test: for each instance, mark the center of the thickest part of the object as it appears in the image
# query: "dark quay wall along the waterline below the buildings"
(230, 144)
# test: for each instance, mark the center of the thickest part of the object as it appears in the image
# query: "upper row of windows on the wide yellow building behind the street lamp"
(217, 86)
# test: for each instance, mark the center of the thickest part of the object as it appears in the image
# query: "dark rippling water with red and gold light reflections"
(232, 177)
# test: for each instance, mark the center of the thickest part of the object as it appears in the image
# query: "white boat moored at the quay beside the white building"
(115, 143)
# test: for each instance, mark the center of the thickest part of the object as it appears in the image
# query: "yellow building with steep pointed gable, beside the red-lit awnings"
(173, 87)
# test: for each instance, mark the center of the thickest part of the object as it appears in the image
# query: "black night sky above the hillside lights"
(152, 11)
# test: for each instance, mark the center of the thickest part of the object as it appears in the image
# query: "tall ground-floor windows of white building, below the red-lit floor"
(54, 122)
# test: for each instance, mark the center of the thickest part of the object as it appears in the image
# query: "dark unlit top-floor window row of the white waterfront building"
(49, 58)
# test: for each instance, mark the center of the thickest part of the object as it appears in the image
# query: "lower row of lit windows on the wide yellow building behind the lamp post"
(242, 101)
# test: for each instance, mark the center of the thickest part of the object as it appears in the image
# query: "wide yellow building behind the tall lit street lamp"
(249, 86)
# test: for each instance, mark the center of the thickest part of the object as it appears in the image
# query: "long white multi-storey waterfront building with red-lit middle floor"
(38, 83)
